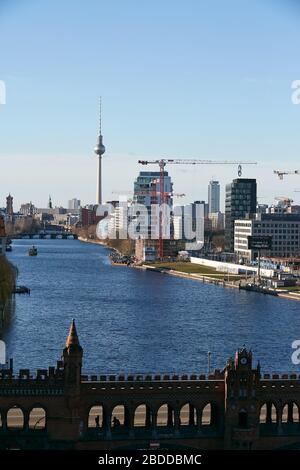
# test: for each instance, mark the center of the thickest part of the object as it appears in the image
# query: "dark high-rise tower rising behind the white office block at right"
(240, 200)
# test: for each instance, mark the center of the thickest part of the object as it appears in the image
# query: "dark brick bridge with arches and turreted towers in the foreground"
(235, 408)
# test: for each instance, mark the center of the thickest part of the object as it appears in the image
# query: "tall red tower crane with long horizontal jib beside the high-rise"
(179, 161)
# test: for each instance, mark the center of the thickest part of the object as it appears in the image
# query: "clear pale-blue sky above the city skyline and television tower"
(193, 78)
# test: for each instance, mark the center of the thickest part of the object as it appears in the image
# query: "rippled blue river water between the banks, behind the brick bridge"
(134, 321)
